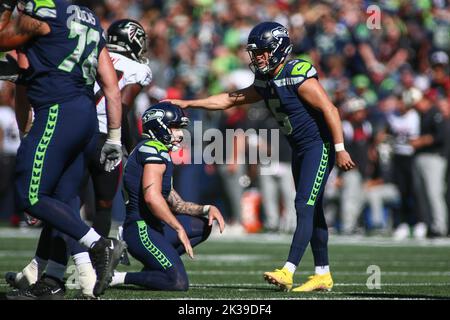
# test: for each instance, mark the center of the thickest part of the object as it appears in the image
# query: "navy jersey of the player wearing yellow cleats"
(303, 125)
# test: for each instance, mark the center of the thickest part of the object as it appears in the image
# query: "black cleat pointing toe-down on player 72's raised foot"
(105, 256)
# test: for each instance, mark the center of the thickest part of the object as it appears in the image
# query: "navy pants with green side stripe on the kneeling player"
(160, 252)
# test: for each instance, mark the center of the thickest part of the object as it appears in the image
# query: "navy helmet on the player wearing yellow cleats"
(270, 36)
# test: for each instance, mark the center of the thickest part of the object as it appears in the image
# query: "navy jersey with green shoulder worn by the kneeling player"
(147, 151)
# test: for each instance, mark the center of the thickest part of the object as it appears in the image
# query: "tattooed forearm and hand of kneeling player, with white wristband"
(179, 206)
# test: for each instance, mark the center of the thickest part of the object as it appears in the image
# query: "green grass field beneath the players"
(231, 268)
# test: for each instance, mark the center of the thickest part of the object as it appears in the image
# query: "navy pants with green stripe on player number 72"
(51, 160)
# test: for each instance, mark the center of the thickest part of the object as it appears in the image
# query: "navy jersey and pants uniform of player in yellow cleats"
(313, 153)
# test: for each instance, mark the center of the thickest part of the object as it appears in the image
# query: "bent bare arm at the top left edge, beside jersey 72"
(21, 30)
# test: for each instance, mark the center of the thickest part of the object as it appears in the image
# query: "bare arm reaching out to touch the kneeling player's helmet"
(221, 101)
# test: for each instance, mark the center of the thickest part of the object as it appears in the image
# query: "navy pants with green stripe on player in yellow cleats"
(311, 170)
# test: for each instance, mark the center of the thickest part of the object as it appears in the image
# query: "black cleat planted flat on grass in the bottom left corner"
(46, 288)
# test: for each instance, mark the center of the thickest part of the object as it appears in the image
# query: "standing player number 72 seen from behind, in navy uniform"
(66, 52)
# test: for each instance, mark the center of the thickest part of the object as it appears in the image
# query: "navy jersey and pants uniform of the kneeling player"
(151, 241)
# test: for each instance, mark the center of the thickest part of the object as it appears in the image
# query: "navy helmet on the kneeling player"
(160, 118)
